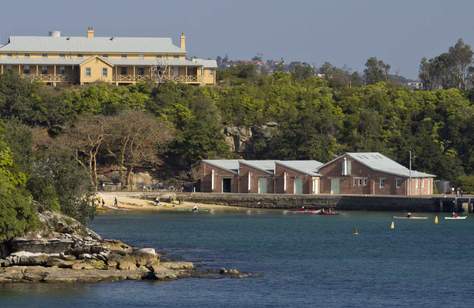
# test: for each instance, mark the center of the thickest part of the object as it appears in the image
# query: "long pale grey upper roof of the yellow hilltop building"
(79, 44)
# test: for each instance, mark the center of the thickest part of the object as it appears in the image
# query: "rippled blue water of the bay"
(306, 261)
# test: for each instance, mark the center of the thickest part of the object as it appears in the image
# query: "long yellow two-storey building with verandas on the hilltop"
(57, 59)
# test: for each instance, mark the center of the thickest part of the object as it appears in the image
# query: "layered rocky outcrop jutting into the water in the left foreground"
(66, 251)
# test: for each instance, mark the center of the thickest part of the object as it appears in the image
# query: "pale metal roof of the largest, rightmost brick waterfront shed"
(380, 162)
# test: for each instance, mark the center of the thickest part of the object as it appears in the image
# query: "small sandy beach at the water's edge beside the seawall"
(132, 201)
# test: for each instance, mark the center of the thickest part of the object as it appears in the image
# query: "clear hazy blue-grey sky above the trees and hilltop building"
(342, 32)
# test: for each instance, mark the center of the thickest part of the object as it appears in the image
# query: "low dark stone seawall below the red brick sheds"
(434, 203)
